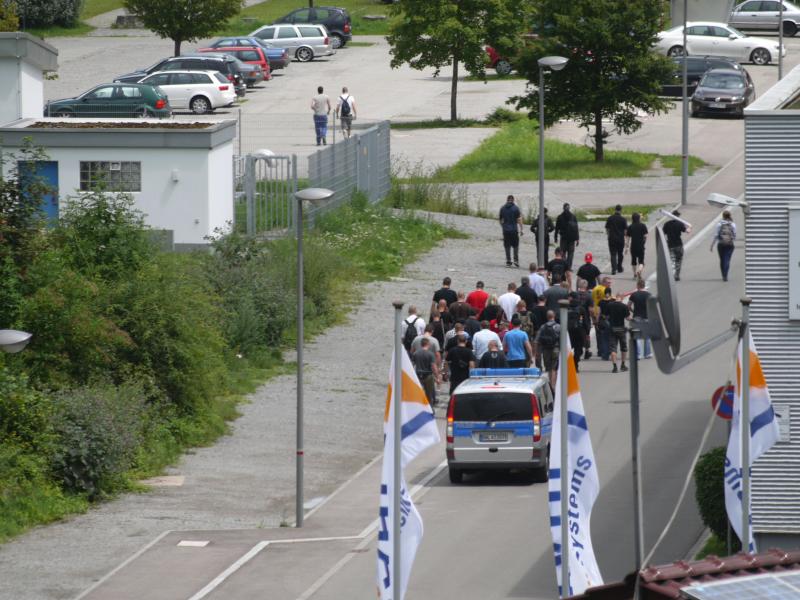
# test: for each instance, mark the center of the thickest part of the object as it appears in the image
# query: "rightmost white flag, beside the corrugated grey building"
(763, 434)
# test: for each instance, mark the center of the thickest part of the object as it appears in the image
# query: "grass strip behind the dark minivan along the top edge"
(267, 12)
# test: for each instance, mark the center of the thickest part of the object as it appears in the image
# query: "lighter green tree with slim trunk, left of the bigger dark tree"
(454, 32)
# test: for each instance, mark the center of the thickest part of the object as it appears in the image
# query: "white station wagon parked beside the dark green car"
(198, 91)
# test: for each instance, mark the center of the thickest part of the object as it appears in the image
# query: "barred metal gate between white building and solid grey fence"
(264, 188)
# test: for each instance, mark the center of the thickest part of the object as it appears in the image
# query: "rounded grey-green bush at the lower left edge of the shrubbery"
(99, 429)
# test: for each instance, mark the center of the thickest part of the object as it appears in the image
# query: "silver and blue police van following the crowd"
(500, 419)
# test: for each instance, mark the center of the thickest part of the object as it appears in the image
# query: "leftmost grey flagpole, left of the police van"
(396, 401)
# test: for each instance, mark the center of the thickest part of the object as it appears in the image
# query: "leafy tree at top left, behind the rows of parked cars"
(183, 20)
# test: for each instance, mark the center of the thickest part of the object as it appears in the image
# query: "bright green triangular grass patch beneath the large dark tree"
(512, 154)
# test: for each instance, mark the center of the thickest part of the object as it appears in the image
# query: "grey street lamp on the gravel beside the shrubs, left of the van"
(317, 197)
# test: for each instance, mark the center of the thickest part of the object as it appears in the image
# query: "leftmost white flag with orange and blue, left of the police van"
(419, 431)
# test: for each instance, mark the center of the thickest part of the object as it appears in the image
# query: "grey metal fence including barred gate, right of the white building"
(265, 183)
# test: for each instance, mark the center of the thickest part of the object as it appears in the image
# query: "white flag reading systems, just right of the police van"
(584, 485)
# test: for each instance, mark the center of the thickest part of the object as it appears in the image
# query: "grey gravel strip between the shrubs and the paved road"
(247, 479)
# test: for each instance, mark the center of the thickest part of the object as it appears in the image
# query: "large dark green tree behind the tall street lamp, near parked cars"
(612, 71)
